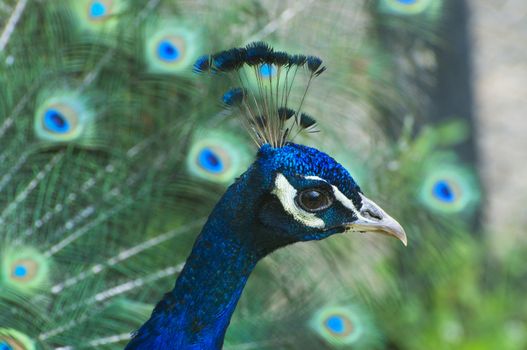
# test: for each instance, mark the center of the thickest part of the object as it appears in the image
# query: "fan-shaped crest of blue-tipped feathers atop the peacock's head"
(266, 78)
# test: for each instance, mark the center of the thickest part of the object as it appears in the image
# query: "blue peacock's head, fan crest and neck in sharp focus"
(291, 193)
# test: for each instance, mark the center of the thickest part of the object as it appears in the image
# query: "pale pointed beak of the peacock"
(374, 219)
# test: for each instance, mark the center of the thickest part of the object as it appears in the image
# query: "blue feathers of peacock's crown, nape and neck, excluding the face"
(198, 310)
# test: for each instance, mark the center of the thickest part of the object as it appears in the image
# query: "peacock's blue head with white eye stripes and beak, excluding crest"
(307, 195)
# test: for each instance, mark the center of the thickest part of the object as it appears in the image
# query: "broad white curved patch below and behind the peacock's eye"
(286, 193)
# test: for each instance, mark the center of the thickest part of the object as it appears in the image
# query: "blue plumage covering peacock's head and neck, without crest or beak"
(250, 221)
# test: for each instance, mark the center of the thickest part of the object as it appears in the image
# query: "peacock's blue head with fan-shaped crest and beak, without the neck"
(297, 193)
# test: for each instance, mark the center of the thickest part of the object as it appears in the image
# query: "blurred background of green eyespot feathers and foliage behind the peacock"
(113, 152)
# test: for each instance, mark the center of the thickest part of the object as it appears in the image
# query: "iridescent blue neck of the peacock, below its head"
(197, 312)
